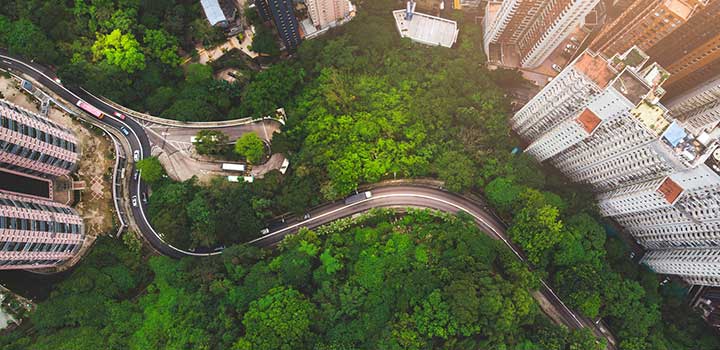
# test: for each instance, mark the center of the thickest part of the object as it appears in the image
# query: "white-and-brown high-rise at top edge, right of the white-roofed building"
(532, 28)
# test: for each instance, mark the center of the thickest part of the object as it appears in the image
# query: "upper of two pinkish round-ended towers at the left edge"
(35, 145)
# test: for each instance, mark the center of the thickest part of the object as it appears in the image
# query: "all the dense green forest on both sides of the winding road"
(361, 108)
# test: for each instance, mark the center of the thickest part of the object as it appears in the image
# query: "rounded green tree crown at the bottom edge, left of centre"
(279, 320)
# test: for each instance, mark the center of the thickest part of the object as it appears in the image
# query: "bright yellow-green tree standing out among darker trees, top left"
(121, 50)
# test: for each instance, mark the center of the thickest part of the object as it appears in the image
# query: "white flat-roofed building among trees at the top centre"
(426, 29)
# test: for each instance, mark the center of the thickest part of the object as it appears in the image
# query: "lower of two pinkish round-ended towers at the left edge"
(37, 233)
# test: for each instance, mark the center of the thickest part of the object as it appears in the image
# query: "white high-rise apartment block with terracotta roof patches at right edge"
(600, 122)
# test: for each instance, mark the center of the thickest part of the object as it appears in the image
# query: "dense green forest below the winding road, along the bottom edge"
(381, 281)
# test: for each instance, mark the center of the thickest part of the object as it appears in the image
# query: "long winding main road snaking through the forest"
(390, 196)
